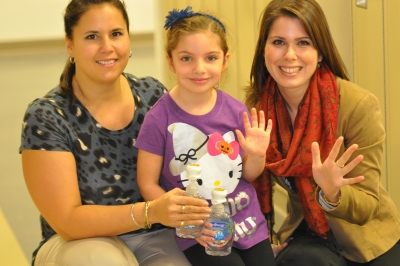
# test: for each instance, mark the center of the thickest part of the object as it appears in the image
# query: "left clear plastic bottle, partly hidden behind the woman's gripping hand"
(193, 172)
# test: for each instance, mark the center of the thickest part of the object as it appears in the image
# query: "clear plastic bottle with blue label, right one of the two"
(222, 224)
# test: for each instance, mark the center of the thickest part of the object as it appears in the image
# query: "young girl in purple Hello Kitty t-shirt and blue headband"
(196, 123)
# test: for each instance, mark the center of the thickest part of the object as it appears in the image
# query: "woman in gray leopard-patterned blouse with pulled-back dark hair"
(79, 155)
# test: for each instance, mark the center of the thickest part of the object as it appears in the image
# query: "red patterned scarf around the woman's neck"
(289, 153)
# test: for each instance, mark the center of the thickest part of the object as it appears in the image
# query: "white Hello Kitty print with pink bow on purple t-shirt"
(217, 154)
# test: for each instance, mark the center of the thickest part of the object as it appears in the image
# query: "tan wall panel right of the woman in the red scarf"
(376, 68)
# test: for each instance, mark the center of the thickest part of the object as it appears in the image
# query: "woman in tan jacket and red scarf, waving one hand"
(326, 145)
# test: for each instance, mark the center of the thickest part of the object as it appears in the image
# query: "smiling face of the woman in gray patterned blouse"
(100, 44)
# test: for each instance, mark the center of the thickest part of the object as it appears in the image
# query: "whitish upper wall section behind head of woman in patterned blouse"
(27, 20)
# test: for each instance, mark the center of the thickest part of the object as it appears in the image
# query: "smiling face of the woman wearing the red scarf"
(290, 55)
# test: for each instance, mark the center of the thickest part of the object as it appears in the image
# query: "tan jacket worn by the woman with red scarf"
(366, 223)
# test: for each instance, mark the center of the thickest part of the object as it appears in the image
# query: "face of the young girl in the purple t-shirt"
(198, 62)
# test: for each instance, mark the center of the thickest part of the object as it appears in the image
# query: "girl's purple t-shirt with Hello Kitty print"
(209, 140)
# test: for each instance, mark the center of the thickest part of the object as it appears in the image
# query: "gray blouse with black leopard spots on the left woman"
(106, 160)
